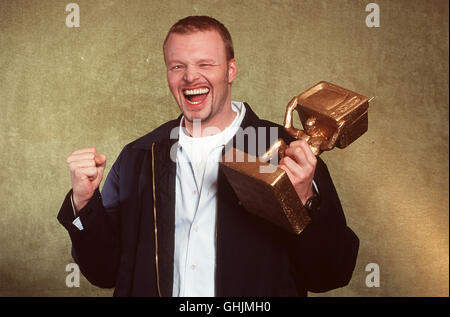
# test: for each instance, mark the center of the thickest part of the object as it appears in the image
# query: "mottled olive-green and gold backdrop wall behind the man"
(104, 84)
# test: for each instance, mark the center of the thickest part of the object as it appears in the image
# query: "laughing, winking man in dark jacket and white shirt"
(168, 223)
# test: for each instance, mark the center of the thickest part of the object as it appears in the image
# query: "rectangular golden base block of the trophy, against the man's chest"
(269, 195)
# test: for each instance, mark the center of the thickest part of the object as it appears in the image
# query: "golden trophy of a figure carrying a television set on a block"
(331, 116)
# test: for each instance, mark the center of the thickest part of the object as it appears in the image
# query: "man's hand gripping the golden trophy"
(300, 164)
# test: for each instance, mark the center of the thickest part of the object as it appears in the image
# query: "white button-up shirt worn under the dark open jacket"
(196, 207)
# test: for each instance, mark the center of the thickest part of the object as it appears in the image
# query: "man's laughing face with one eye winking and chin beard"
(199, 75)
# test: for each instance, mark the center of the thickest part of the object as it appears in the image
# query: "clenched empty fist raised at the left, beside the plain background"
(86, 171)
